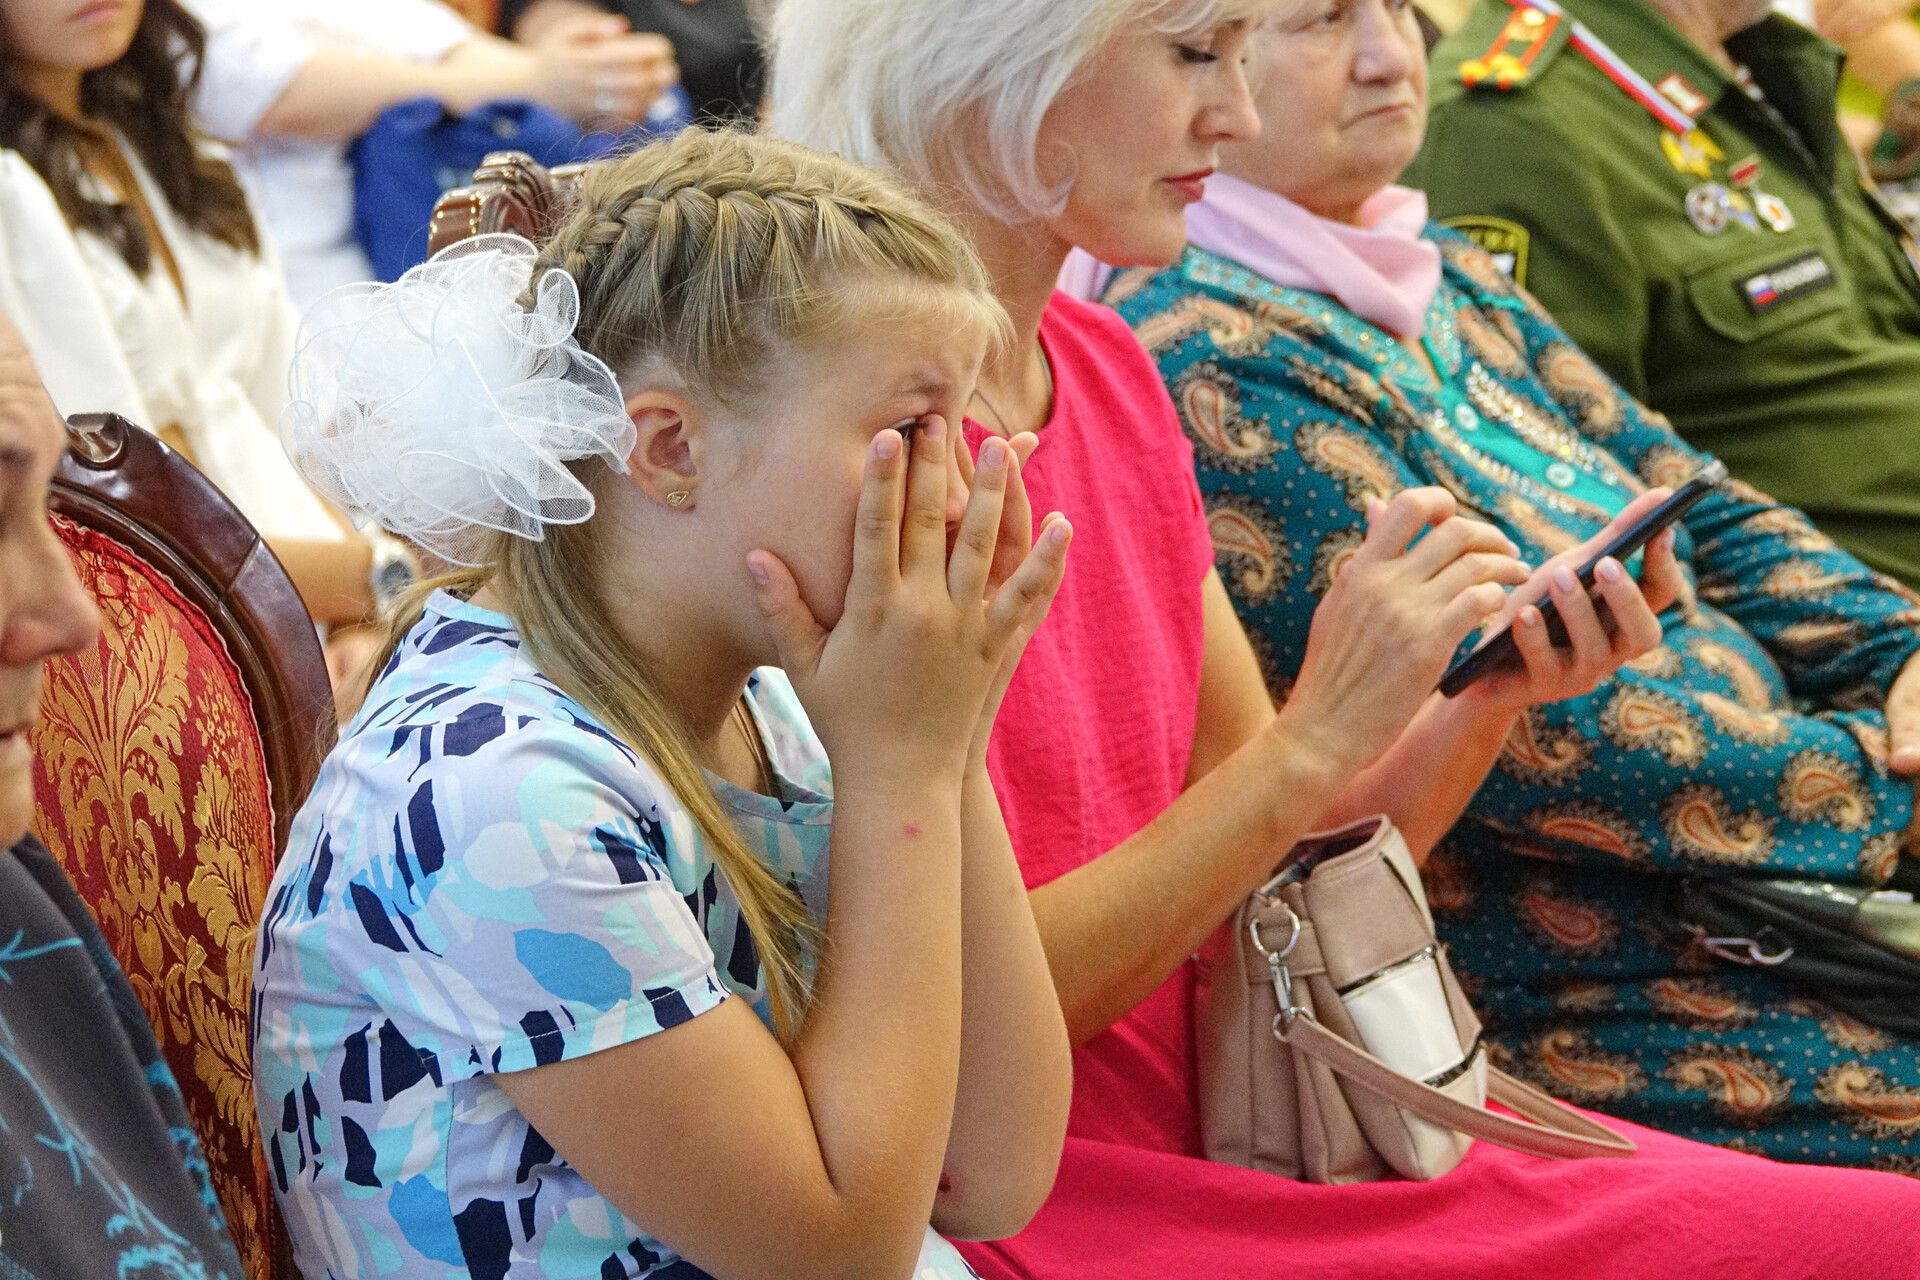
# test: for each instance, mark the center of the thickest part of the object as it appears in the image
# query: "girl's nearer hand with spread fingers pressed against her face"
(913, 673)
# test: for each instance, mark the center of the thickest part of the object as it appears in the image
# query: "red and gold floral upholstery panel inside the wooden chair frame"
(153, 794)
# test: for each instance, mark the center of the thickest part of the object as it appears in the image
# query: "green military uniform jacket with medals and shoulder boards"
(1669, 179)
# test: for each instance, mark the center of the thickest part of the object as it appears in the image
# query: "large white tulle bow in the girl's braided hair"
(439, 408)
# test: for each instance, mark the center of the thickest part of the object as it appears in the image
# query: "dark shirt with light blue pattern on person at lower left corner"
(101, 1172)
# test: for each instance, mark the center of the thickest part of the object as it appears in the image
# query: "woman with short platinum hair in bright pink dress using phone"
(1143, 770)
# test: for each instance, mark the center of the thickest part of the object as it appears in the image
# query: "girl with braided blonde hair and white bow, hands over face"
(496, 1020)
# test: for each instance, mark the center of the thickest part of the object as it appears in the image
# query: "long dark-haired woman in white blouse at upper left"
(135, 270)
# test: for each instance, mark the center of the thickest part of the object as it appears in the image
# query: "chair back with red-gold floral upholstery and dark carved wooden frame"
(160, 763)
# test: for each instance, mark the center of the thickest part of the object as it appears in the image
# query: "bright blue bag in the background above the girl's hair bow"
(418, 153)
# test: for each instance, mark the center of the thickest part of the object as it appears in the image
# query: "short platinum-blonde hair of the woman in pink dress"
(951, 91)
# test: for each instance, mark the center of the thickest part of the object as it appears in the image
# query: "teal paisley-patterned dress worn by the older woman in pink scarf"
(1750, 742)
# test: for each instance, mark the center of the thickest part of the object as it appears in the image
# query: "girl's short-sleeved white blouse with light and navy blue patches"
(487, 880)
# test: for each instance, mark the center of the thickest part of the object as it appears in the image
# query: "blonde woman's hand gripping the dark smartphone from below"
(1604, 630)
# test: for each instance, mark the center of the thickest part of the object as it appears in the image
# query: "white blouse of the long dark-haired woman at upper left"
(212, 366)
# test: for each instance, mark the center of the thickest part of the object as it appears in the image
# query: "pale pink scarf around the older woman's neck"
(1383, 272)
